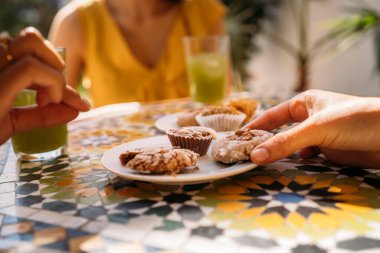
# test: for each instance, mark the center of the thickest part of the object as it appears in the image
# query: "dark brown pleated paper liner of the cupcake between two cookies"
(199, 146)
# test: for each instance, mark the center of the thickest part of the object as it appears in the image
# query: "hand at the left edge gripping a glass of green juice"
(29, 61)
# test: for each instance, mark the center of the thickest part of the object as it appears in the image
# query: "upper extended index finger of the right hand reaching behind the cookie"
(290, 111)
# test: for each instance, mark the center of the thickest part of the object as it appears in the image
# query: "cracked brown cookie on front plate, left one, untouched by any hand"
(159, 160)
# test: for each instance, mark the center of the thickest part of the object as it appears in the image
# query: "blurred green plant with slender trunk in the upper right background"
(342, 34)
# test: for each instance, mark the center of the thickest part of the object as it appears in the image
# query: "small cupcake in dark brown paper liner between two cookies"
(195, 138)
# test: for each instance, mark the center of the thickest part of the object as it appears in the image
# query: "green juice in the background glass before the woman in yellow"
(207, 77)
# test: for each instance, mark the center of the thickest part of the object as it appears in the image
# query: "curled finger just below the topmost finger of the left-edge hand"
(30, 71)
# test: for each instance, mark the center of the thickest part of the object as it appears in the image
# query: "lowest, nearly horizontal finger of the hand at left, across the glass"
(54, 114)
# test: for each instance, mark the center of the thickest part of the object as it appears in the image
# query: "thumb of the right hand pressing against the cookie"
(286, 143)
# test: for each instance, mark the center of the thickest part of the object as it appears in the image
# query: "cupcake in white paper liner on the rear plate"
(221, 118)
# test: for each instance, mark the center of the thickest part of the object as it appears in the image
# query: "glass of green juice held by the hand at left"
(40, 143)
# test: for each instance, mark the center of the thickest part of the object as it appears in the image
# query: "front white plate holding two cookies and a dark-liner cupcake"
(209, 169)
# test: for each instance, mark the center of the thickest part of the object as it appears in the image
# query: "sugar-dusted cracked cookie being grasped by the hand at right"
(238, 146)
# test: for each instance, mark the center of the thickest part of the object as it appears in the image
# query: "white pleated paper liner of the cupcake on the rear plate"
(221, 122)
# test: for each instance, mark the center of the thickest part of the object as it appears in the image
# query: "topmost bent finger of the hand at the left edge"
(30, 42)
